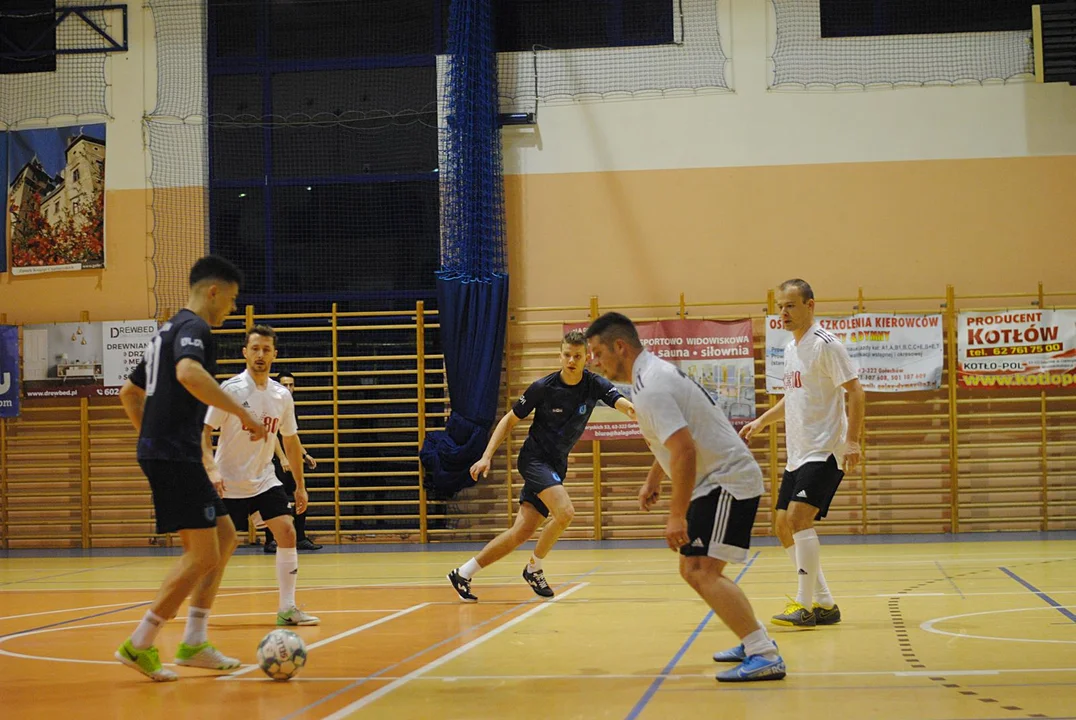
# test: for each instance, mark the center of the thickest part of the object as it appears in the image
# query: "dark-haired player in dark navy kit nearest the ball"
(166, 399)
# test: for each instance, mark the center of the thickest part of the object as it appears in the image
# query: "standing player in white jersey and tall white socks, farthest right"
(818, 373)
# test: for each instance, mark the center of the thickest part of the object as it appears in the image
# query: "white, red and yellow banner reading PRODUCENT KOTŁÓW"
(1017, 349)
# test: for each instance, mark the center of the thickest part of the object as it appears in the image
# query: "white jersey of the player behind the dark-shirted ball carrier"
(246, 465)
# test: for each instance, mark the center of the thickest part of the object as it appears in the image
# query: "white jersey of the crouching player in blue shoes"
(668, 401)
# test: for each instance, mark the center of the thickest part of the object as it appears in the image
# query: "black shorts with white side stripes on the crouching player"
(720, 527)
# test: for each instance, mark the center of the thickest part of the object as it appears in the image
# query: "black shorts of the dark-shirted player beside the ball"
(183, 497)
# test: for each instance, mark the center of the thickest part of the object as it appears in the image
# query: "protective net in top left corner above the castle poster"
(78, 88)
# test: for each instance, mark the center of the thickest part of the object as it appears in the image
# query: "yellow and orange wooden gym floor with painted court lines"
(981, 627)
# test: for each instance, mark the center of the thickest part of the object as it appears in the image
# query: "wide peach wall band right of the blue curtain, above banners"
(730, 234)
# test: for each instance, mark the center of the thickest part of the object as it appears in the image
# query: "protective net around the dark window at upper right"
(803, 59)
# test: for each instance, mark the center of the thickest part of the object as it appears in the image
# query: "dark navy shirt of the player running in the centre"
(561, 414)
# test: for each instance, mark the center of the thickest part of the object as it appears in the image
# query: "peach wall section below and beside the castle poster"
(121, 291)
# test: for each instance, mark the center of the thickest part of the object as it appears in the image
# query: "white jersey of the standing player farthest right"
(815, 421)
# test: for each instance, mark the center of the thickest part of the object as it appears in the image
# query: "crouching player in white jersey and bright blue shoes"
(716, 486)
